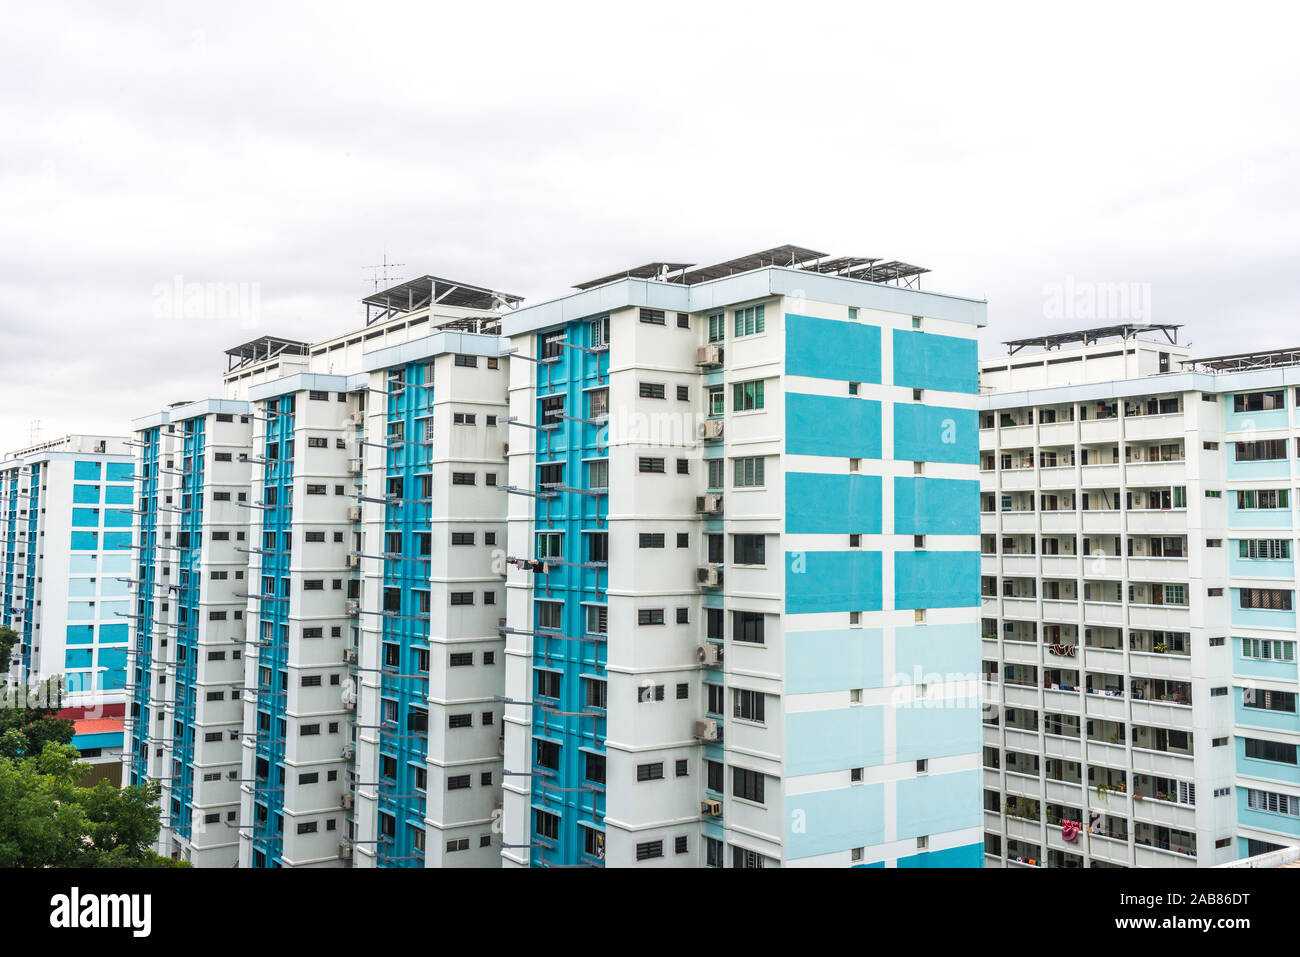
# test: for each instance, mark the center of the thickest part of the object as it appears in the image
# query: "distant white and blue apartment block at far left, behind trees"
(66, 532)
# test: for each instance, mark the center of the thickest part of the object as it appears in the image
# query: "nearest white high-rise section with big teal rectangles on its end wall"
(743, 588)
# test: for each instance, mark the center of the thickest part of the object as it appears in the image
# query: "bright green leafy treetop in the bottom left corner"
(47, 821)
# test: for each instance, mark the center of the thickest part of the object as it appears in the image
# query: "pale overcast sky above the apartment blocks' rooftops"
(1011, 149)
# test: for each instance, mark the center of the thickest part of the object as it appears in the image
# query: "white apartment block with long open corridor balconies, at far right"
(1138, 588)
